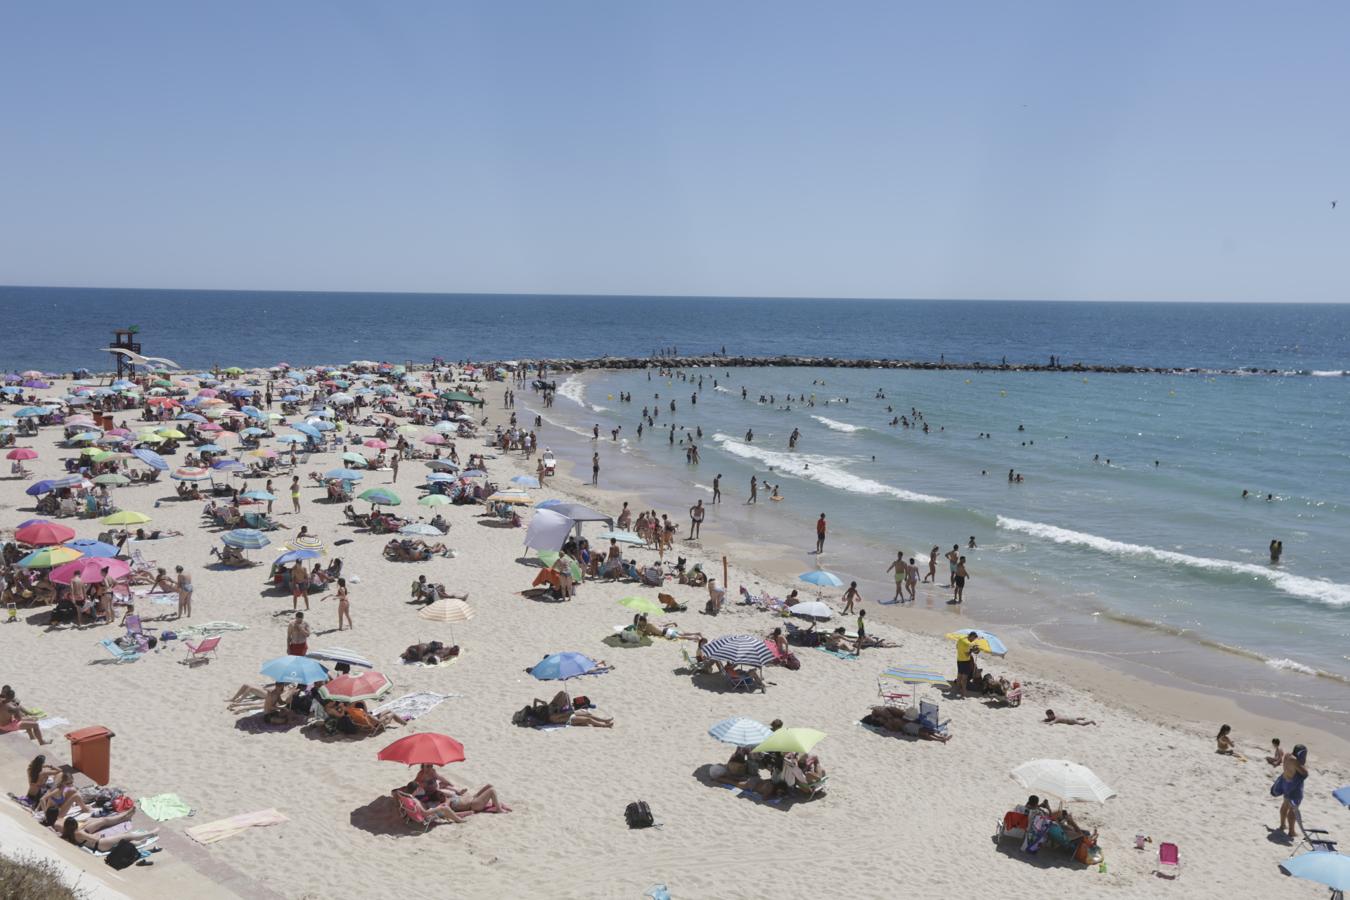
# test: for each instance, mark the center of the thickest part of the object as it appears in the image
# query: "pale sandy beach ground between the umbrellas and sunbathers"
(898, 816)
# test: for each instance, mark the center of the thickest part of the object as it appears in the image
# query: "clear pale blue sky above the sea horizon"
(1024, 150)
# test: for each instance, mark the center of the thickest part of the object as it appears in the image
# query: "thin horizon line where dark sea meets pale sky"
(664, 296)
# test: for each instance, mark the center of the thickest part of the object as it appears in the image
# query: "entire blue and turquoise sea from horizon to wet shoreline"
(1128, 536)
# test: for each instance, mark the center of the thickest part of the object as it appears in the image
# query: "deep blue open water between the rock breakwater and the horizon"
(64, 329)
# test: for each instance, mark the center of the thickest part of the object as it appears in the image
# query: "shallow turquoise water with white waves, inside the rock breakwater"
(1159, 539)
